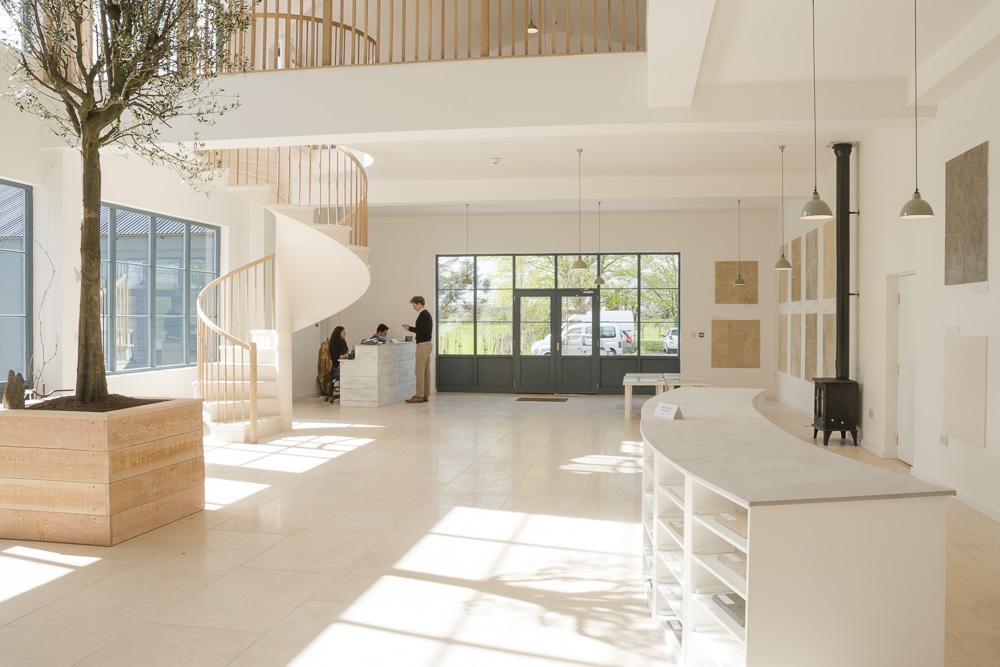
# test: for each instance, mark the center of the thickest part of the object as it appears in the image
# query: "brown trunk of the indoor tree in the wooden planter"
(91, 383)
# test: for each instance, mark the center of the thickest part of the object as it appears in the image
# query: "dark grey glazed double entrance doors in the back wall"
(555, 346)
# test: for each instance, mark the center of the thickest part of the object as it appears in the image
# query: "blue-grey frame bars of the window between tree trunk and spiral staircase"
(188, 317)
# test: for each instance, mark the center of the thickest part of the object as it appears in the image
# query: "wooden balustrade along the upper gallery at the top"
(294, 34)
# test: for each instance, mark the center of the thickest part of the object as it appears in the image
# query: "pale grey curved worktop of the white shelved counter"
(726, 442)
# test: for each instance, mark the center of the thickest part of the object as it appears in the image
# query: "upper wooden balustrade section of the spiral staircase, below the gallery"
(330, 178)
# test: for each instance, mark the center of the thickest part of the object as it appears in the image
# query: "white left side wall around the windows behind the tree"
(54, 174)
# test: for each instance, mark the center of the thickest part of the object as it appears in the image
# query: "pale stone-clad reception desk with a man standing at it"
(378, 375)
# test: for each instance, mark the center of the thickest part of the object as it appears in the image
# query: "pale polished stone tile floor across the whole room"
(470, 531)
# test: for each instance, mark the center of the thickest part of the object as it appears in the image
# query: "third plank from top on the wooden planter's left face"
(54, 496)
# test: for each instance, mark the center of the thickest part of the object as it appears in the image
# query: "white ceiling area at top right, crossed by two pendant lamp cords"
(753, 41)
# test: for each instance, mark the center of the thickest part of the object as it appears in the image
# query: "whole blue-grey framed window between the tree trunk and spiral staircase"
(152, 269)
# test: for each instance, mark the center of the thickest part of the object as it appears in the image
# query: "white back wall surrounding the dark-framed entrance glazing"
(403, 252)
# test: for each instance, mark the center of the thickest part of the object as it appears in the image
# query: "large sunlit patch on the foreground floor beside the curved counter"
(494, 587)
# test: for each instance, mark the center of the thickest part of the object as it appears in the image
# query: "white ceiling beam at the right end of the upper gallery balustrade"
(676, 36)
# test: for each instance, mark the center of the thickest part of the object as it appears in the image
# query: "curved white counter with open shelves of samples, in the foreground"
(760, 549)
